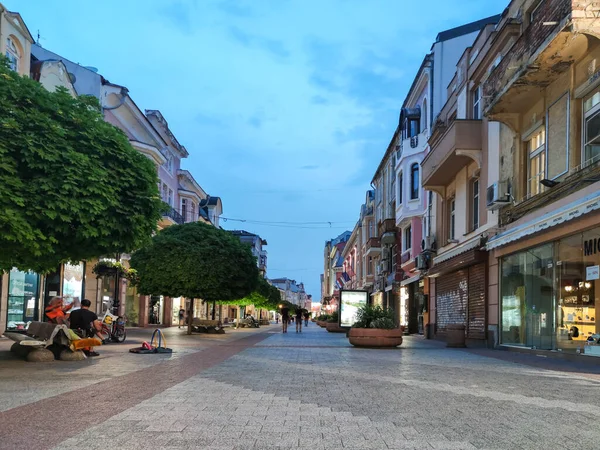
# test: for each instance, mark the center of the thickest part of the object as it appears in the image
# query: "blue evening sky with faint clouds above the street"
(286, 106)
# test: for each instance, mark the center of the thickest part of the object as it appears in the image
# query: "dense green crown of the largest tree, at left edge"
(71, 185)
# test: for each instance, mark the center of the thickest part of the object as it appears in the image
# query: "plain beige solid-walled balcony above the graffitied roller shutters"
(452, 148)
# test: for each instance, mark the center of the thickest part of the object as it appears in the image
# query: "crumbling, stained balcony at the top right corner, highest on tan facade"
(544, 51)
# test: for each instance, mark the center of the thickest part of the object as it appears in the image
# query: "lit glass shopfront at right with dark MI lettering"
(549, 294)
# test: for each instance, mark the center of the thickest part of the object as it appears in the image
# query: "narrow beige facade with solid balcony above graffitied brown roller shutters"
(461, 163)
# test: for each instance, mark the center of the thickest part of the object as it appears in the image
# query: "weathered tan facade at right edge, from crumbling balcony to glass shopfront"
(544, 86)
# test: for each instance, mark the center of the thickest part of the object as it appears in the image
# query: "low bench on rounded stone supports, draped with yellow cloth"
(34, 342)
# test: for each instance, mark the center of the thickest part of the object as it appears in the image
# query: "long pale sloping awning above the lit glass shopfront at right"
(571, 211)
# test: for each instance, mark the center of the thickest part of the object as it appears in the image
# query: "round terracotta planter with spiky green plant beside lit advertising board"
(375, 328)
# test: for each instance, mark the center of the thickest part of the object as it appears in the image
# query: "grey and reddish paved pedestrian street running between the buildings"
(262, 389)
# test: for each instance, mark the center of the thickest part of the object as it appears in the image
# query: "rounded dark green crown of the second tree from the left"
(196, 260)
